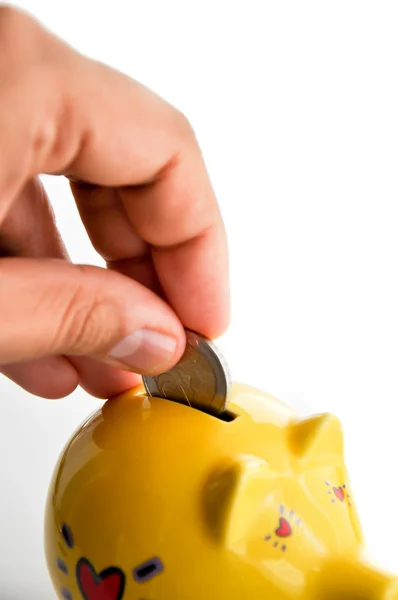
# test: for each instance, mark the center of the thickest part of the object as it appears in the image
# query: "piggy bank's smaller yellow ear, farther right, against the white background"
(316, 440)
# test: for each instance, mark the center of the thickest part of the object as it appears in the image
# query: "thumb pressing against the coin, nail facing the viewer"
(51, 307)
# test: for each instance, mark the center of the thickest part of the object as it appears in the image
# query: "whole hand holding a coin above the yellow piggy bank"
(144, 197)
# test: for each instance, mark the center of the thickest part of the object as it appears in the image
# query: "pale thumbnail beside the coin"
(145, 351)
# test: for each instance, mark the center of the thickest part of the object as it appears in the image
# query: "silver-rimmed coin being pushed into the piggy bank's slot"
(200, 379)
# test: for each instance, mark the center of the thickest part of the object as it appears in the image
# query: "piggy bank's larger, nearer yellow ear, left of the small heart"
(232, 495)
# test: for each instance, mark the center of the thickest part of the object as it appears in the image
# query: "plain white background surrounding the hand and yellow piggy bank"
(295, 105)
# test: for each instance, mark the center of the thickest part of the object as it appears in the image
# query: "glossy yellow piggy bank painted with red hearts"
(153, 500)
